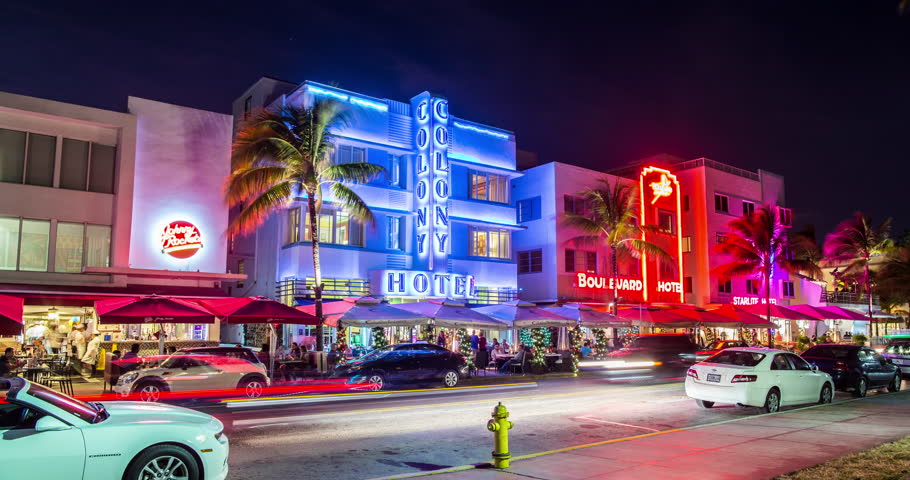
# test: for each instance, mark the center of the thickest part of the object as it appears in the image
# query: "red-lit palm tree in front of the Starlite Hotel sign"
(756, 244)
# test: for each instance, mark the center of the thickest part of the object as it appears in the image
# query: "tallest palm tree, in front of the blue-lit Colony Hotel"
(285, 153)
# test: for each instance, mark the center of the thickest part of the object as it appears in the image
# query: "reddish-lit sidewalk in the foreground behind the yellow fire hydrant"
(763, 446)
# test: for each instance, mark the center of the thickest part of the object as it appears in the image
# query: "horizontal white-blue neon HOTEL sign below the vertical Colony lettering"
(414, 283)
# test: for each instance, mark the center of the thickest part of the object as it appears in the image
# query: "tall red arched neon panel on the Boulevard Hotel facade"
(657, 187)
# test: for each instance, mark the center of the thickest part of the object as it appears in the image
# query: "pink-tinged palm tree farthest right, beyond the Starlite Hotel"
(855, 242)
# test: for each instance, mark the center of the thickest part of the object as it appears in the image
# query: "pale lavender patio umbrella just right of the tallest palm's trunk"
(368, 312)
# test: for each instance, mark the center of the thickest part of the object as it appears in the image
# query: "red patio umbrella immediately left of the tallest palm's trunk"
(257, 310)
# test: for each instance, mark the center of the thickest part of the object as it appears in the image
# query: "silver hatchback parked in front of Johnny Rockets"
(182, 372)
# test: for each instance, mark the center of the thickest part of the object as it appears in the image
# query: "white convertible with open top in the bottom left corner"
(45, 434)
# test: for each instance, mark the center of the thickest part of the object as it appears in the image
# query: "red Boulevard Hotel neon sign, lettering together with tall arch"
(660, 205)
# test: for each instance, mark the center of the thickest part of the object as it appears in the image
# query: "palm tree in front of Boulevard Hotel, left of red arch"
(612, 219)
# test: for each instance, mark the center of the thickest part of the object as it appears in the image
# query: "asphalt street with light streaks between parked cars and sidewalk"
(406, 432)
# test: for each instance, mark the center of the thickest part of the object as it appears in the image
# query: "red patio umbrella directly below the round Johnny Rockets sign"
(151, 309)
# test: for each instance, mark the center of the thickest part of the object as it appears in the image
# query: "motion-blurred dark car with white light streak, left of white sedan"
(660, 350)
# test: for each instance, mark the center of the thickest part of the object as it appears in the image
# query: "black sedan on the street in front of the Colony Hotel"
(405, 363)
